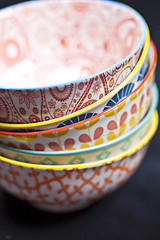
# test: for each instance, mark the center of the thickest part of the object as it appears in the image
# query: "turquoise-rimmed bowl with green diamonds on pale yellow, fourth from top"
(104, 151)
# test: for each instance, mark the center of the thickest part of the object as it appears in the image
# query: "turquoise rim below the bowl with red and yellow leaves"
(103, 145)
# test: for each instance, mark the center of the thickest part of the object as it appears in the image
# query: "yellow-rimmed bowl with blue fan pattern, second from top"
(134, 79)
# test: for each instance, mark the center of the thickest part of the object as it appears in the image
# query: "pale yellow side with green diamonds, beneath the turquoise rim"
(108, 152)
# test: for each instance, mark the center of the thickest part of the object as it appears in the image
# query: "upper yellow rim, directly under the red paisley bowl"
(9, 125)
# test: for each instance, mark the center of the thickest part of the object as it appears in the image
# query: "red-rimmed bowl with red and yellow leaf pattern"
(102, 128)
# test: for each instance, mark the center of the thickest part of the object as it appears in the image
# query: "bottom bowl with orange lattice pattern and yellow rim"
(72, 187)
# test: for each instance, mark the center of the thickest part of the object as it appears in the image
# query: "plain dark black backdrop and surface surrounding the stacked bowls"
(132, 212)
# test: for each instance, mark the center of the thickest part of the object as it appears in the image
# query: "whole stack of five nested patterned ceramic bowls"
(65, 143)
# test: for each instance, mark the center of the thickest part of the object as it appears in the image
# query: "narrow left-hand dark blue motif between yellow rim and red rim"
(77, 119)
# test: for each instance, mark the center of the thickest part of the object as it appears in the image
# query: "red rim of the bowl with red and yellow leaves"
(147, 77)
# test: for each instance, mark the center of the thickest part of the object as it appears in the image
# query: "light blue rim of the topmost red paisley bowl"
(112, 3)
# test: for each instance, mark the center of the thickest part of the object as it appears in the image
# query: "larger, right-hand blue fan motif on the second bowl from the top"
(124, 92)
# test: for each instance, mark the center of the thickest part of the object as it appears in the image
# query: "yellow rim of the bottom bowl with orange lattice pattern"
(145, 140)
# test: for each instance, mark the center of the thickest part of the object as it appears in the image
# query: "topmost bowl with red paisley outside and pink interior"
(96, 42)
